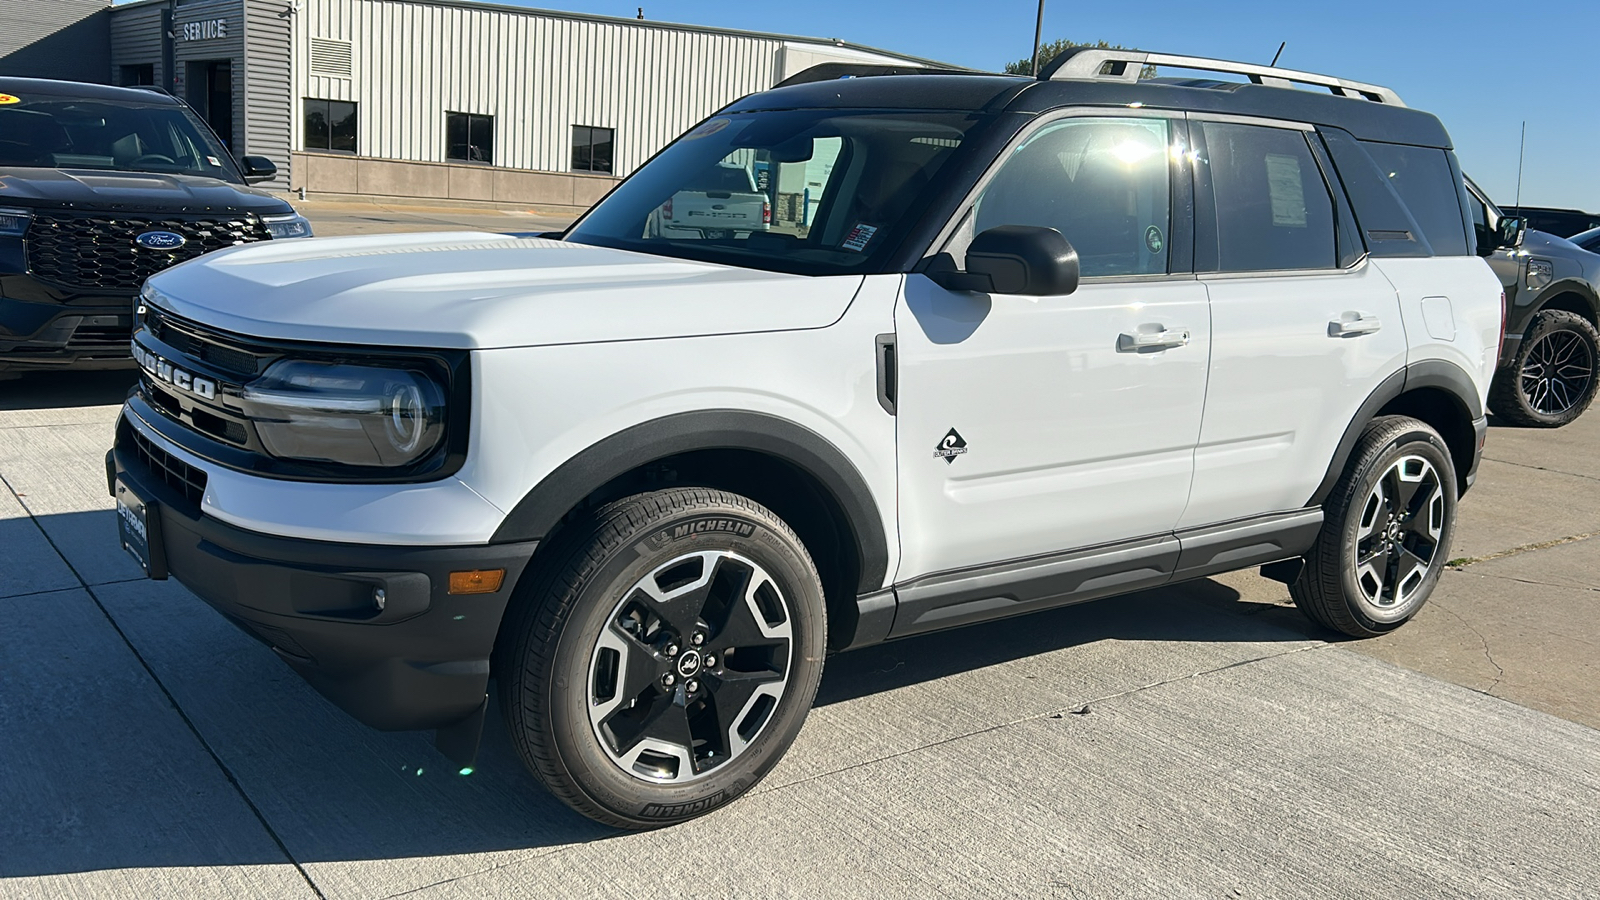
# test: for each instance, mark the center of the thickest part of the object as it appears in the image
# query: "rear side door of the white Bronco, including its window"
(1305, 329)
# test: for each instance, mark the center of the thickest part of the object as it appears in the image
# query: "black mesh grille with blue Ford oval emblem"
(97, 251)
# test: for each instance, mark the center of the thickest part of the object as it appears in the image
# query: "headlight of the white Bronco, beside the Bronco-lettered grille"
(346, 414)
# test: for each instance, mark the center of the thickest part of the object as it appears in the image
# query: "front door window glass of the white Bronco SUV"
(1103, 183)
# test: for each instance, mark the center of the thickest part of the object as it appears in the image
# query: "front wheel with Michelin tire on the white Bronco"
(665, 656)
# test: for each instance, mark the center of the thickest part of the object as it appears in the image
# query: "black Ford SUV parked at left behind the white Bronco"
(102, 188)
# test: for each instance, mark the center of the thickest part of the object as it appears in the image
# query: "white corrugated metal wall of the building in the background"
(537, 74)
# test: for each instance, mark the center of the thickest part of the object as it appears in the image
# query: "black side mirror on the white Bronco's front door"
(1022, 260)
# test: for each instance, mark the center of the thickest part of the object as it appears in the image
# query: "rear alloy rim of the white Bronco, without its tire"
(1399, 534)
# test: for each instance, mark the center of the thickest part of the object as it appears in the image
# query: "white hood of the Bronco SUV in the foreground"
(476, 291)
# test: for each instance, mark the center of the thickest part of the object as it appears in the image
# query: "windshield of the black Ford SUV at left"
(60, 132)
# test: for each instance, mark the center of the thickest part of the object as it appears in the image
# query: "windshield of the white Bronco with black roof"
(809, 191)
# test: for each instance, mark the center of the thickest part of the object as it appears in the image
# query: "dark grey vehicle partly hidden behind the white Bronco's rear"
(1548, 364)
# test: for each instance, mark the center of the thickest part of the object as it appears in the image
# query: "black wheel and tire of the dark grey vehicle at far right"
(1553, 377)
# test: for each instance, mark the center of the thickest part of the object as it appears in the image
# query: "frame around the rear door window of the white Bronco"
(1350, 254)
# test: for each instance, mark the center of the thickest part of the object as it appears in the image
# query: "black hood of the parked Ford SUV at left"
(134, 191)
